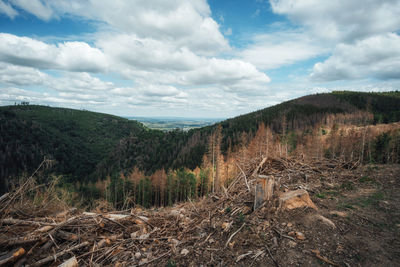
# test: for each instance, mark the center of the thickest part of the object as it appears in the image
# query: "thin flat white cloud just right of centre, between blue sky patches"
(269, 51)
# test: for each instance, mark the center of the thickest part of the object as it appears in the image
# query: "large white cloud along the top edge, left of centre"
(188, 23)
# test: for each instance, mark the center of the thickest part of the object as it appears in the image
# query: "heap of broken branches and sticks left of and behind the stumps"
(221, 229)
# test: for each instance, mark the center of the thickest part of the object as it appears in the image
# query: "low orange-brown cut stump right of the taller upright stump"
(295, 199)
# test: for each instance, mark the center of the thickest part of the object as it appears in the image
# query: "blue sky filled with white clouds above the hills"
(197, 58)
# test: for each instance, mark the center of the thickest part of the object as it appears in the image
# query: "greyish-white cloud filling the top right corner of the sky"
(343, 20)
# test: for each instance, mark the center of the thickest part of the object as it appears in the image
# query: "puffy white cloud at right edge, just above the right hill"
(377, 56)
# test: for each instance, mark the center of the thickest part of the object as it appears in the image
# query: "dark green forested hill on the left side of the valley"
(77, 140)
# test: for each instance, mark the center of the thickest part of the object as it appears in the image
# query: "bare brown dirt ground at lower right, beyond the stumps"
(363, 206)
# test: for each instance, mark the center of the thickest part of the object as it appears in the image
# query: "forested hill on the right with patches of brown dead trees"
(177, 149)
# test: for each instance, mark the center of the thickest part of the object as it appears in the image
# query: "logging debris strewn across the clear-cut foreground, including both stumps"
(286, 228)
